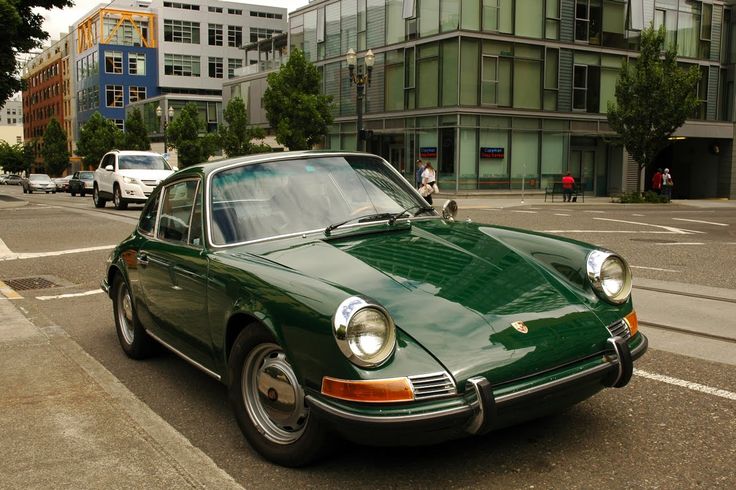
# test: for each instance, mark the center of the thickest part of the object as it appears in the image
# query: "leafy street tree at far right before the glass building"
(654, 97)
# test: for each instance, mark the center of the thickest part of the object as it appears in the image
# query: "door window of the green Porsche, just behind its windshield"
(176, 211)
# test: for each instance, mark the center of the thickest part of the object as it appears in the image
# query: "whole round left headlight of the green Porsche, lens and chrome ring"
(364, 332)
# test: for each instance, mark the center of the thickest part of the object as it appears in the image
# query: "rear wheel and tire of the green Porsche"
(132, 336)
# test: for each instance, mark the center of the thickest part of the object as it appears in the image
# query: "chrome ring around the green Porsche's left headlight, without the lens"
(343, 324)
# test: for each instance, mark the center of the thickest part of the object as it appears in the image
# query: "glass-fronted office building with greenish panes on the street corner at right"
(504, 93)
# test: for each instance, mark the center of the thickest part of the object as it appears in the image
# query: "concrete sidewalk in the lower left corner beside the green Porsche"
(67, 422)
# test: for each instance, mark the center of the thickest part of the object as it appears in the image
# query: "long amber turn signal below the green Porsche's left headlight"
(370, 391)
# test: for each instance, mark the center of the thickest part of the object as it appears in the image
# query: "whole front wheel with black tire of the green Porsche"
(294, 439)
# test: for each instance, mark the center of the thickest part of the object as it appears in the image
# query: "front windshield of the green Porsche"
(257, 201)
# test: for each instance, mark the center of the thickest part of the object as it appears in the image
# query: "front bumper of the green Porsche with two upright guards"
(481, 407)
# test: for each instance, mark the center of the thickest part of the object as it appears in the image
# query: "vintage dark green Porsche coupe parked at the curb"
(330, 298)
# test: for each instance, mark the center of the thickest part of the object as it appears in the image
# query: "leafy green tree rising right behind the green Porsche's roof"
(295, 109)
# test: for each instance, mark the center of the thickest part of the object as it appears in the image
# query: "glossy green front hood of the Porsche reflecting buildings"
(457, 288)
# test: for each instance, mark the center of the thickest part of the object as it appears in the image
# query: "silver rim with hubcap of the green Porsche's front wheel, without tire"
(272, 394)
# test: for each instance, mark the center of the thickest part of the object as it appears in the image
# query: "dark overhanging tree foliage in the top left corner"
(20, 33)
